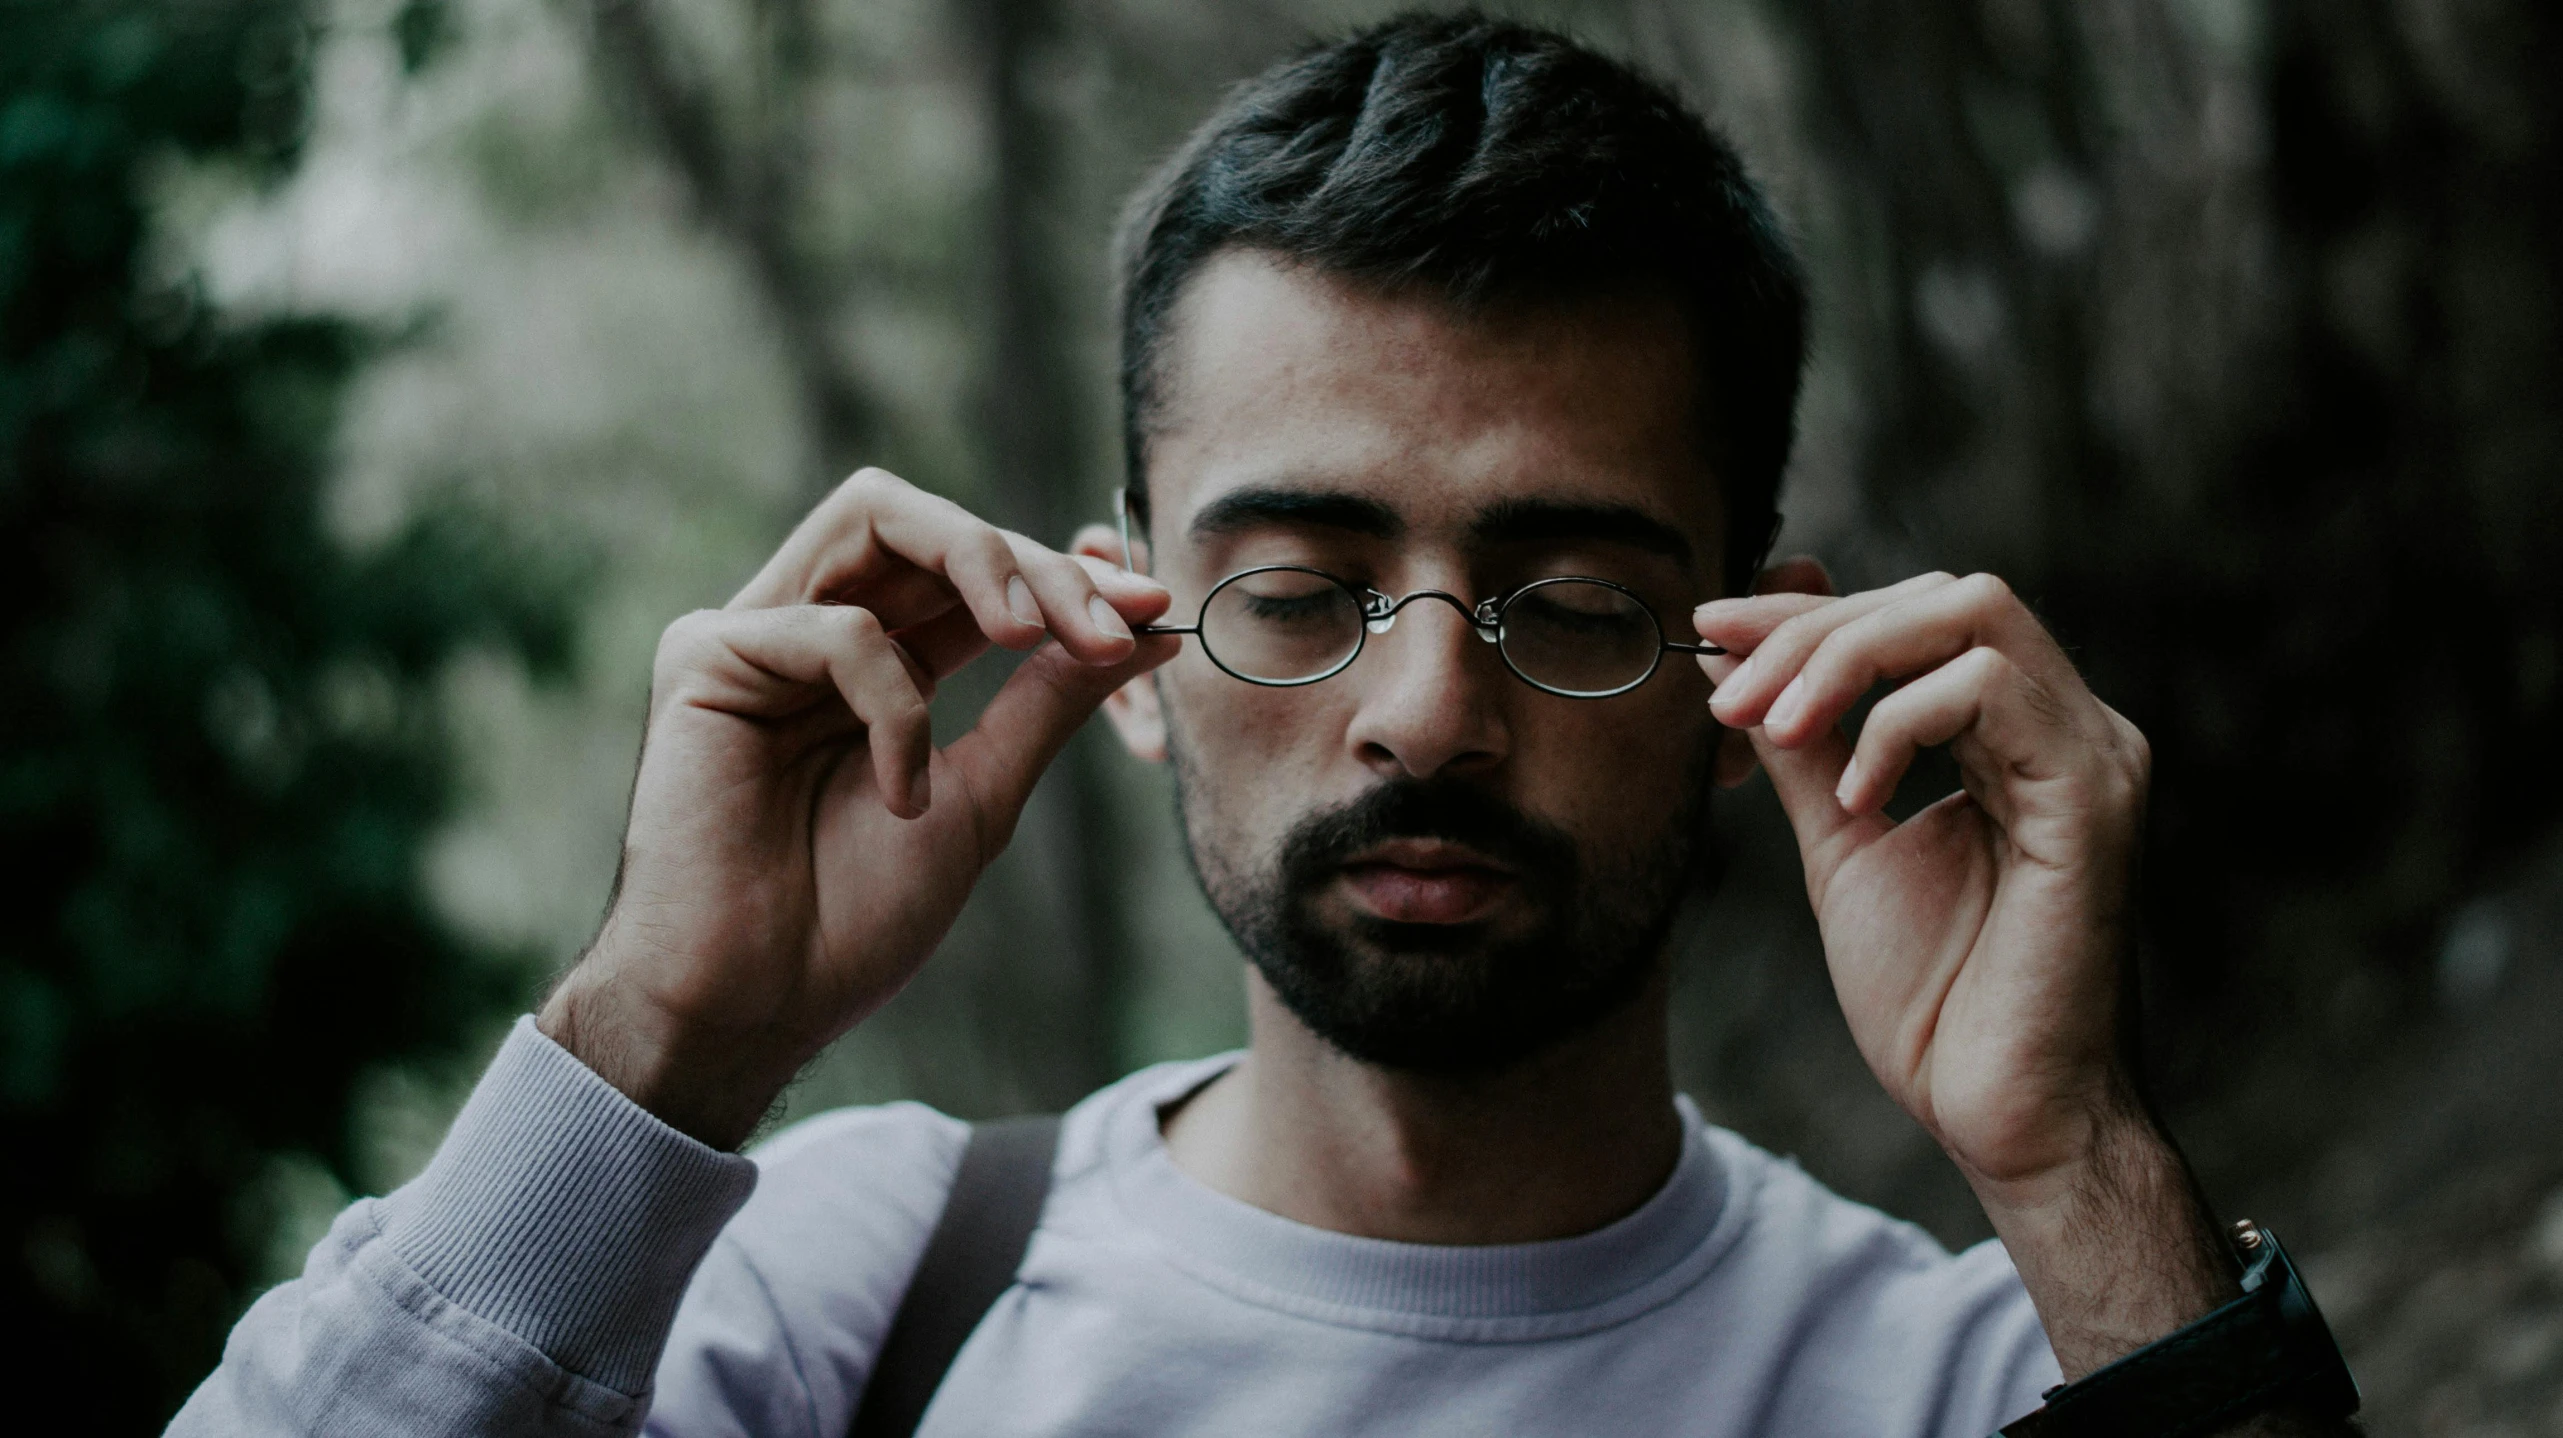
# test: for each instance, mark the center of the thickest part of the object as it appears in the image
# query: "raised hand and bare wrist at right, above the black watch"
(1980, 947)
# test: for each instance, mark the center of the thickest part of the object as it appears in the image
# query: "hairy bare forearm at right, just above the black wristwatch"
(2121, 1252)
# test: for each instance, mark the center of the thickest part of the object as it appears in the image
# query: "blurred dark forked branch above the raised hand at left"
(750, 199)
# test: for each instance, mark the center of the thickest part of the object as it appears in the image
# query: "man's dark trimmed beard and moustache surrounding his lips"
(1452, 998)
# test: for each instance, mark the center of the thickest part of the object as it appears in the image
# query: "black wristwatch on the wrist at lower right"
(2254, 1355)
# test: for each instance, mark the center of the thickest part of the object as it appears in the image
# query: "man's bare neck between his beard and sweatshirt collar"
(1560, 1145)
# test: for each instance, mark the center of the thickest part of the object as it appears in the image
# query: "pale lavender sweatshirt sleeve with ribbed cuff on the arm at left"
(524, 1283)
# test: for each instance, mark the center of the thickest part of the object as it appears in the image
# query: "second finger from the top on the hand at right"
(1906, 640)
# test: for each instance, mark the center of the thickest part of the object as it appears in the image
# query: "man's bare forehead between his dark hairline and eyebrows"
(1278, 376)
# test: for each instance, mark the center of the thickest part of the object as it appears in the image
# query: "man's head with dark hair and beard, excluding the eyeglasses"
(1452, 306)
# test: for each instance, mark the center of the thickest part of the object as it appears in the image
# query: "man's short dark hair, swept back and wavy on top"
(1488, 163)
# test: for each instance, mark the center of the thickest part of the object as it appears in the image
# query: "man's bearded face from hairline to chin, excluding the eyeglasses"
(1431, 863)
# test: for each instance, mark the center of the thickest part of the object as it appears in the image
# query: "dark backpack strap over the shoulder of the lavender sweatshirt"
(970, 1262)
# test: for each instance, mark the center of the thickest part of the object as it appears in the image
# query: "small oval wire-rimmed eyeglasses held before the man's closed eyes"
(1572, 637)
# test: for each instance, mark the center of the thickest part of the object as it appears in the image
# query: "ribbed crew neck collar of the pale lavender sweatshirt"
(1488, 1293)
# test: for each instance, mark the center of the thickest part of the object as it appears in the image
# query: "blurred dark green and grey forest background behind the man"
(381, 376)
